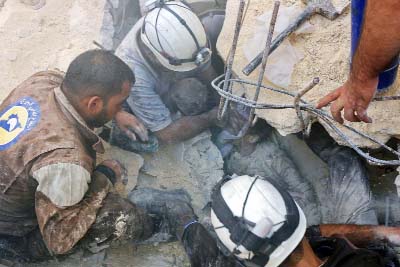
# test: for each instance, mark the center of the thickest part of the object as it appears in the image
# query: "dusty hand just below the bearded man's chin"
(131, 126)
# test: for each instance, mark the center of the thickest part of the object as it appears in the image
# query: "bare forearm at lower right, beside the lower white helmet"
(362, 234)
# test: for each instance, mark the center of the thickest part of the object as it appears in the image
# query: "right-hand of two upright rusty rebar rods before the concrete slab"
(265, 54)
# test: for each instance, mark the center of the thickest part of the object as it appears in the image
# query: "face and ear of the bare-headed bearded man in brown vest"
(109, 108)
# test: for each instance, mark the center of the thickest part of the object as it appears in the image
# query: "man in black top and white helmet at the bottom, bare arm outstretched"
(258, 223)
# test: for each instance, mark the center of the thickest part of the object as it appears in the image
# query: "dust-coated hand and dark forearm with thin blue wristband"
(173, 208)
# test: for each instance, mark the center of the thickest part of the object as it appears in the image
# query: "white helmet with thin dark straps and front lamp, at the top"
(175, 35)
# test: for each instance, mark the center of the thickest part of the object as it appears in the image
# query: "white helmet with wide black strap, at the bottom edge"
(256, 220)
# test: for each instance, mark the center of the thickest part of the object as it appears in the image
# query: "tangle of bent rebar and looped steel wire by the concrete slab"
(314, 113)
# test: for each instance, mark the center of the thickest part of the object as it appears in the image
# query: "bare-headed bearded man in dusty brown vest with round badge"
(53, 197)
